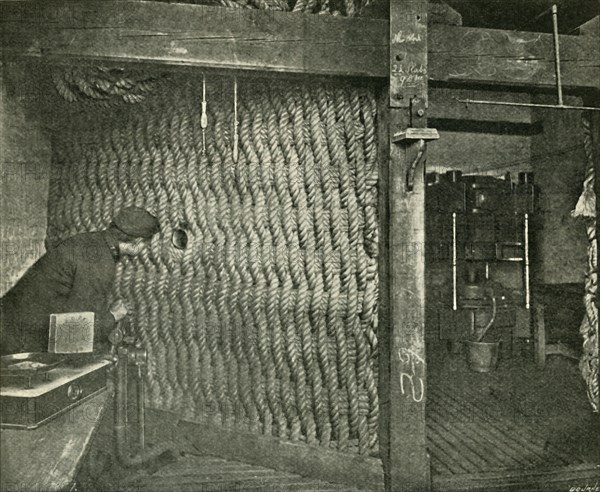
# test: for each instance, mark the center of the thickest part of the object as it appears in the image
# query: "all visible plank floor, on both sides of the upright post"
(517, 428)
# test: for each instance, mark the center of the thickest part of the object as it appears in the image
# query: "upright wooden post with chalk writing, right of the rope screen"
(405, 457)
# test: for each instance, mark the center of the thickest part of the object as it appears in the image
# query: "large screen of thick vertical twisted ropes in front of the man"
(267, 319)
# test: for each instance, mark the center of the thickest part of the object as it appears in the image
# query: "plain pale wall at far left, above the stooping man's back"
(25, 169)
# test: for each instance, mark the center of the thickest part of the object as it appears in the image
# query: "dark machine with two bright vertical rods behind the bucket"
(478, 233)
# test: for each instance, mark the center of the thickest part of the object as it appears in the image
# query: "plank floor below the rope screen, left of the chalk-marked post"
(191, 470)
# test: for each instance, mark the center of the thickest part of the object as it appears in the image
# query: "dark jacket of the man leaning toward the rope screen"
(77, 275)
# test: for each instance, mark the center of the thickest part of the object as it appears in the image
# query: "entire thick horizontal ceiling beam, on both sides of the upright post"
(259, 40)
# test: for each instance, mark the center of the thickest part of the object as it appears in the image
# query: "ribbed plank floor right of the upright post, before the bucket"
(516, 423)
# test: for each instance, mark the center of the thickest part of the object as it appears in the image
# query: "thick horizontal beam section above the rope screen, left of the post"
(187, 34)
